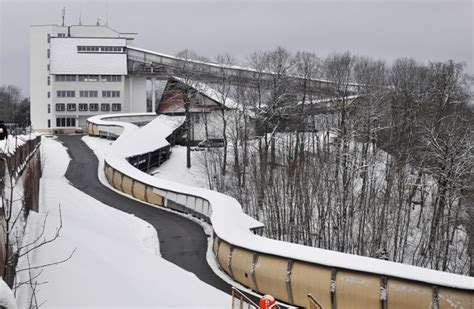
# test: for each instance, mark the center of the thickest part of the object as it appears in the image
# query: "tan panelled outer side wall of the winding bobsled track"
(292, 280)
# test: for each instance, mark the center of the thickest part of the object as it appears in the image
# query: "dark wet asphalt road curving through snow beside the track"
(182, 242)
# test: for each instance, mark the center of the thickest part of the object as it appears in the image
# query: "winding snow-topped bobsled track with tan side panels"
(285, 270)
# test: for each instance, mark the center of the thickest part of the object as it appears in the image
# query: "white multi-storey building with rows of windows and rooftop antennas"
(80, 71)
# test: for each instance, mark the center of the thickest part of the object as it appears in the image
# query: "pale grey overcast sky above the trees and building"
(422, 29)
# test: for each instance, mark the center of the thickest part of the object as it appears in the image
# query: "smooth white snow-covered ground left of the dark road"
(117, 261)
